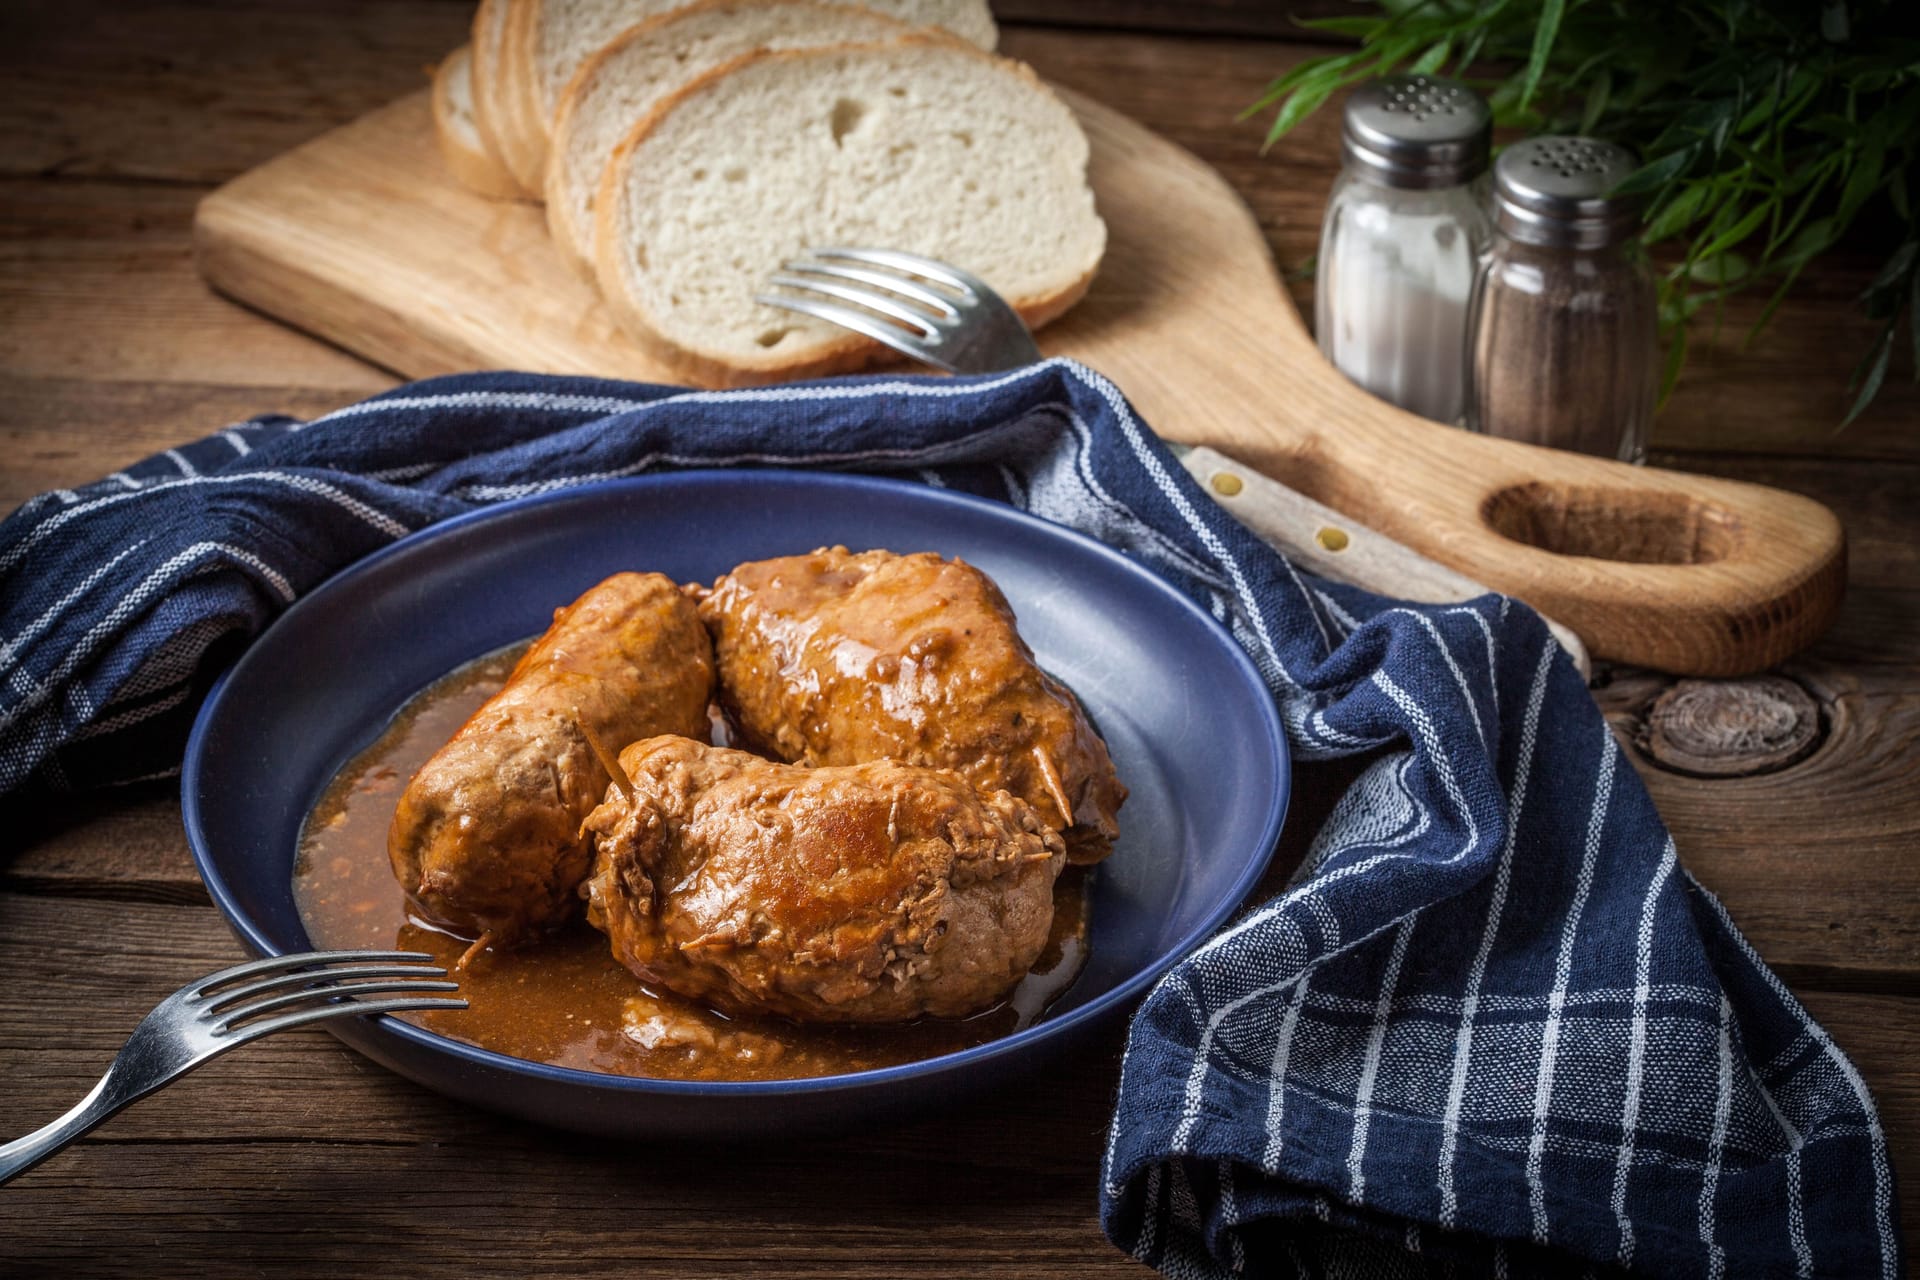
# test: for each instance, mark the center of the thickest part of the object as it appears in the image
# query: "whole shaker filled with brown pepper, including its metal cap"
(1566, 329)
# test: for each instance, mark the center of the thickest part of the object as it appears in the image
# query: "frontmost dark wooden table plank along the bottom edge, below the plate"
(817, 1210)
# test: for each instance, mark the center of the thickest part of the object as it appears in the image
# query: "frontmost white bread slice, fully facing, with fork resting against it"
(924, 145)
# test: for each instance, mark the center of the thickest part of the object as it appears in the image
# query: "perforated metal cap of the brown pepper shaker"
(1554, 193)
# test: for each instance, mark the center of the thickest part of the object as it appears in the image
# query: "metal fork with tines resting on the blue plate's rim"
(226, 1010)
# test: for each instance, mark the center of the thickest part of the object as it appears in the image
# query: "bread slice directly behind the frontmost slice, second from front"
(642, 66)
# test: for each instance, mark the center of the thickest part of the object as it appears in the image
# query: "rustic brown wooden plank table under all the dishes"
(302, 1158)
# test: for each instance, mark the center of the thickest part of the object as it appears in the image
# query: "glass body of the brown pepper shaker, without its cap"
(1566, 348)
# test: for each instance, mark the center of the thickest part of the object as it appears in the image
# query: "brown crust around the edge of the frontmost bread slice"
(842, 356)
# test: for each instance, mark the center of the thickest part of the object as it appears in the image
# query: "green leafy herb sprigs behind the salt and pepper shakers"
(1767, 130)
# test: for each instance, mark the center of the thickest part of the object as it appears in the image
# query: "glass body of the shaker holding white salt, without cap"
(1393, 289)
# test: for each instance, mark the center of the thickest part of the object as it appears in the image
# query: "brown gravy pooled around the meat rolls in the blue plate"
(567, 1001)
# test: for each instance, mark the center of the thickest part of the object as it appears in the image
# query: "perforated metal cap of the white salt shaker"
(1418, 131)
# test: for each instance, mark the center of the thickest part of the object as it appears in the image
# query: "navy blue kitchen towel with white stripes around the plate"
(1493, 1028)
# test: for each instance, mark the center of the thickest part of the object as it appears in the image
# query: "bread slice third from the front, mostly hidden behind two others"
(552, 39)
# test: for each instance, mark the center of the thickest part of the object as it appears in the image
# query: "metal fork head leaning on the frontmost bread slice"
(917, 306)
